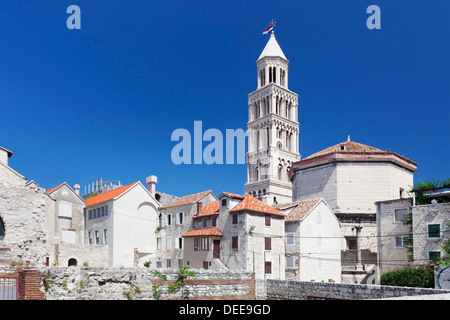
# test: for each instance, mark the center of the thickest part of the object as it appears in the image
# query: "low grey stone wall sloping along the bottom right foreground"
(301, 290)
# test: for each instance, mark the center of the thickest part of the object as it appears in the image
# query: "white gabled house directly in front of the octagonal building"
(314, 241)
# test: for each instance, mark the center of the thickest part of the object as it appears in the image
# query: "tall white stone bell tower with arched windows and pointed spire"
(273, 128)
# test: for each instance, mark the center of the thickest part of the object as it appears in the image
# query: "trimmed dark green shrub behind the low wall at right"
(418, 277)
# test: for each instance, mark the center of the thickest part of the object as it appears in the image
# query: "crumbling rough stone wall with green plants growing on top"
(76, 283)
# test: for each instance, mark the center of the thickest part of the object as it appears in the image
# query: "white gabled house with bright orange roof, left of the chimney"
(125, 219)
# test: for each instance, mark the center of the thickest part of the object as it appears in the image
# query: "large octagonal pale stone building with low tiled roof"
(351, 177)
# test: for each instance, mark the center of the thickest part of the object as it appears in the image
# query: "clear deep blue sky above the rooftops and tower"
(77, 105)
